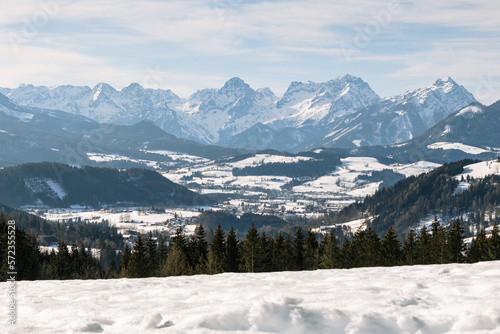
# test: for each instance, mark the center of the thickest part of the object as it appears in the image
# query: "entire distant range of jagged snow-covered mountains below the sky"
(344, 112)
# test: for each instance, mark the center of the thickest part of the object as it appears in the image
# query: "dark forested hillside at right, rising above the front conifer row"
(412, 199)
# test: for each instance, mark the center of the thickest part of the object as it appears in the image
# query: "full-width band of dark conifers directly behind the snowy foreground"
(257, 252)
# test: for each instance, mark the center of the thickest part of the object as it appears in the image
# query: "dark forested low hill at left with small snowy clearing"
(59, 185)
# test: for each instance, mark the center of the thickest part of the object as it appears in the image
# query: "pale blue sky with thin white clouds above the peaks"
(192, 44)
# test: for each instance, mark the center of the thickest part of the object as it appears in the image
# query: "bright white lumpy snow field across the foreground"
(420, 299)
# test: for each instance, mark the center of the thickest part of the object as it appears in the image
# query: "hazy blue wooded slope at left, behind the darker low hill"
(29, 134)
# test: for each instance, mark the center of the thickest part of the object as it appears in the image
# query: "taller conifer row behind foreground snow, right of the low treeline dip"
(260, 253)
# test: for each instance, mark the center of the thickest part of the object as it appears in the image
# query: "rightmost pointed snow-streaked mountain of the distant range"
(399, 118)
